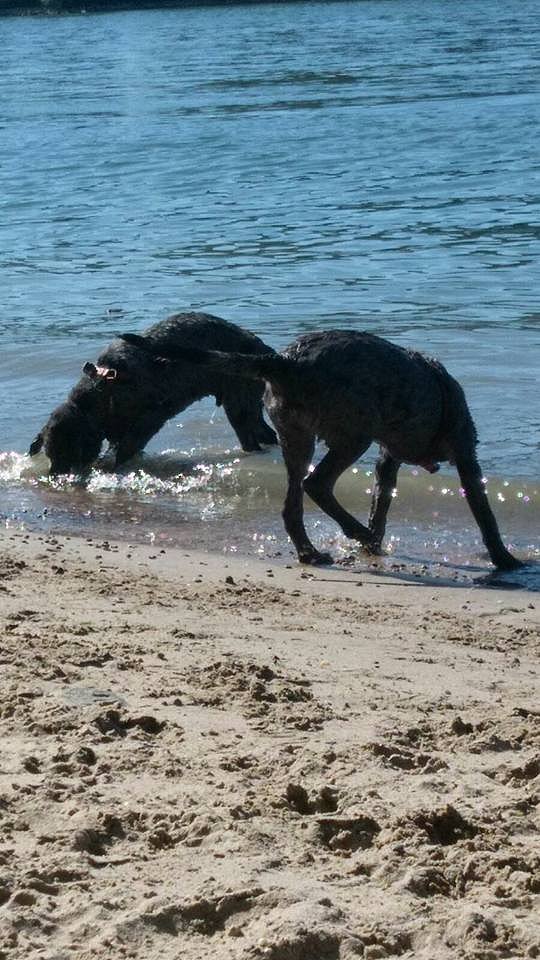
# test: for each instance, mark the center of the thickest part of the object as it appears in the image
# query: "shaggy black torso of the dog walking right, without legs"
(358, 383)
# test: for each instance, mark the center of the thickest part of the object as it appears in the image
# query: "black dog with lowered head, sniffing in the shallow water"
(128, 395)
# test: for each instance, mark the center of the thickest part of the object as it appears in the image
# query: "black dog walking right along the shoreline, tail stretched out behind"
(349, 389)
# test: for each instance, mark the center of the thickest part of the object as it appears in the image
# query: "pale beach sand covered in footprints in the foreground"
(208, 758)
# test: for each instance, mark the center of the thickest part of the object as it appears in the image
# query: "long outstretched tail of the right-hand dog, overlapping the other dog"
(256, 366)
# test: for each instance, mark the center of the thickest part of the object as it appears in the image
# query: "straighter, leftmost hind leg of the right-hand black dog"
(298, 447)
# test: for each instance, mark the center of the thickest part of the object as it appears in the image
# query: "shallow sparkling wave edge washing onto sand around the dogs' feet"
(231, 506)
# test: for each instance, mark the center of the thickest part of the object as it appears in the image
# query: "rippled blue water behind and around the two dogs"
(290, 166)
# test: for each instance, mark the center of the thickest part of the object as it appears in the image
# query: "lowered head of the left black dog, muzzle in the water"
(69, 440)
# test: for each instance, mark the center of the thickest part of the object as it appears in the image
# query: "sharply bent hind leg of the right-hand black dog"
(320, 486)
